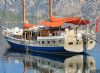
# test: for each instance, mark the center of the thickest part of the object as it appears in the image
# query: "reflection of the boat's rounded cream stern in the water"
(80, 64)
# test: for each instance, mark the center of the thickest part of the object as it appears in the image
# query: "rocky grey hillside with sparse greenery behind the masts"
(38, 9)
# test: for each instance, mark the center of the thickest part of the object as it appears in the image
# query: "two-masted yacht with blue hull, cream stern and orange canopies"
(47, 37)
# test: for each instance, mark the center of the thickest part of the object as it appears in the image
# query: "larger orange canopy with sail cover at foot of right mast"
(57, 22)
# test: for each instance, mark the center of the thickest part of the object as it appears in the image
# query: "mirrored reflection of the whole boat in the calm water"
(52, 63)
